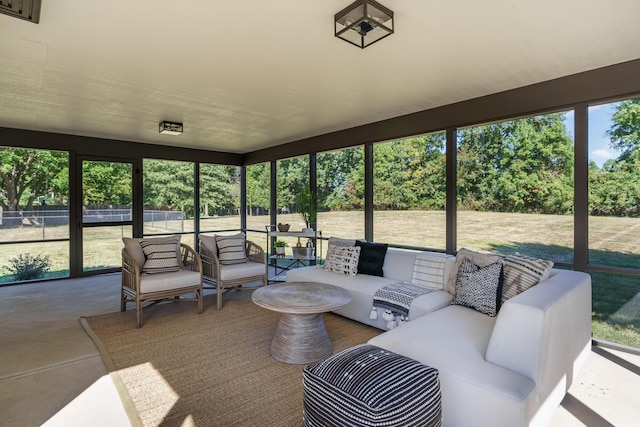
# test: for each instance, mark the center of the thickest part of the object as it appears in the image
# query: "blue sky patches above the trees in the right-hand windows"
(599, 123)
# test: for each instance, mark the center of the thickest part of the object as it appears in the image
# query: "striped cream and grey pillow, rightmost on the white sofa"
(522, 272)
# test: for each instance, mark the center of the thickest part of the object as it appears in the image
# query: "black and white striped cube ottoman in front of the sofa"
(369, 386)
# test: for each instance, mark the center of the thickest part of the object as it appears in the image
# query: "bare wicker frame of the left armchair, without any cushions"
(131, 284)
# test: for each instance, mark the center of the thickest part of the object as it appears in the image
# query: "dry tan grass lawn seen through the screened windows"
(613, 242)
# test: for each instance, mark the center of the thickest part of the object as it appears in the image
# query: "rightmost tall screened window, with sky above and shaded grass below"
(614, 219)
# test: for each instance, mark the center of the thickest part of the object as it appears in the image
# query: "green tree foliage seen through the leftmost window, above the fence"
(28, 174)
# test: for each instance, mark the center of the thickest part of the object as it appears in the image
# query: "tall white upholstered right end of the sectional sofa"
(542, 332)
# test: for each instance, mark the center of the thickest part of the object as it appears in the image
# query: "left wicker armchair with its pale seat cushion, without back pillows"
(139, 289)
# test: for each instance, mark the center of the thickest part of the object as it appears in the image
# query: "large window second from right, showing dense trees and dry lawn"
(515, 187)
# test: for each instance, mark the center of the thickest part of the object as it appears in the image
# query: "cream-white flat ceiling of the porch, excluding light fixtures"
(246, 75)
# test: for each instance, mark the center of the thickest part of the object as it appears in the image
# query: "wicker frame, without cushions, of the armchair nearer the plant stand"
(211, 270)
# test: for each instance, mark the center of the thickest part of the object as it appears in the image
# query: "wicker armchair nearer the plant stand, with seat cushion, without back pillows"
(221, 277)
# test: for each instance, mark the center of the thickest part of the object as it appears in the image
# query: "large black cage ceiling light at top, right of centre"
(363, 23)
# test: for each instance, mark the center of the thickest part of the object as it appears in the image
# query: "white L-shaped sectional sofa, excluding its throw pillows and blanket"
(509, 370)
